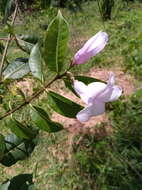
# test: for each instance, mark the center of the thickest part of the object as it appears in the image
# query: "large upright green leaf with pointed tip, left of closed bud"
(55, 44)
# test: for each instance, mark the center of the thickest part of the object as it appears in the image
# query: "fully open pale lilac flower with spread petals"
(95, 95)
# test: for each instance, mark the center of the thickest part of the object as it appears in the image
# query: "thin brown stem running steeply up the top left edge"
(8, 40)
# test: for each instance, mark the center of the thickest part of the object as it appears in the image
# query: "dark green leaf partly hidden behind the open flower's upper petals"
(84, 79)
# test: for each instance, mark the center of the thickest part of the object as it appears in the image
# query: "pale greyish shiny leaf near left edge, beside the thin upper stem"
(17, 69)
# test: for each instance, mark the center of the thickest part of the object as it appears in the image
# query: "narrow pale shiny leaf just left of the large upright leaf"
(35, 63)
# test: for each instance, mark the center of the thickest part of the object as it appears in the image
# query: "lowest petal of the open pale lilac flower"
(97, 108)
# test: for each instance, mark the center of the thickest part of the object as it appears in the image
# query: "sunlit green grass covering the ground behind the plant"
(112, 162)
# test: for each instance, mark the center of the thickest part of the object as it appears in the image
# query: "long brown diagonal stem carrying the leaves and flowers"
(34, 96)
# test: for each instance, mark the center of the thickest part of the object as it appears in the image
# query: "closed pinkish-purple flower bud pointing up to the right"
(92, 47)
